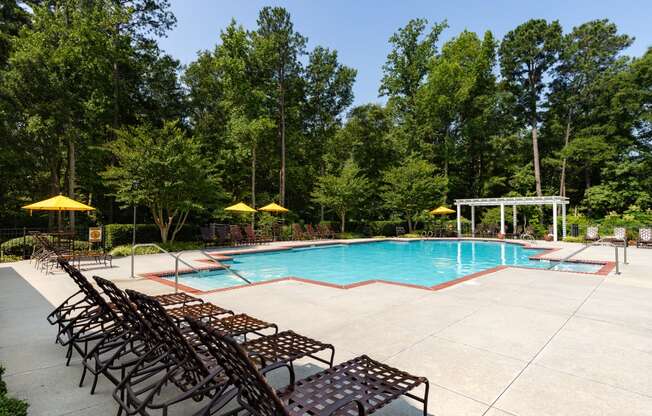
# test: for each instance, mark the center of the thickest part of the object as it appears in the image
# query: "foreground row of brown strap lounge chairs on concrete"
(162, 351)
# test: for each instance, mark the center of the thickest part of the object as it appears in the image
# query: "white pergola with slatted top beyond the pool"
(555, 201)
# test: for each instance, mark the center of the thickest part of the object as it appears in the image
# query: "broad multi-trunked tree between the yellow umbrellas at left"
(170, 171)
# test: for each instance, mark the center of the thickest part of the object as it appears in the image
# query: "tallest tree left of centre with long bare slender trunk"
(279, 48)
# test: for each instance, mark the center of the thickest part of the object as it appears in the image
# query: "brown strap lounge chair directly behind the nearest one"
(187, 365)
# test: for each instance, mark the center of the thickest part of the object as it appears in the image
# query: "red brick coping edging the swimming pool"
(224, 255)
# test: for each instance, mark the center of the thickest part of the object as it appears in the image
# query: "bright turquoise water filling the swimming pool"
(423, 262)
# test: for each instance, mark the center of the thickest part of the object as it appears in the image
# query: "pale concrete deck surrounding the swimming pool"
(514, 341)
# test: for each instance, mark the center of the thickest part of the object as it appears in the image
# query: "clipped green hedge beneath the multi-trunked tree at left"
(119, 234)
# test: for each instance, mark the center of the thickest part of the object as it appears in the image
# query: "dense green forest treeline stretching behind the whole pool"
(90, 106)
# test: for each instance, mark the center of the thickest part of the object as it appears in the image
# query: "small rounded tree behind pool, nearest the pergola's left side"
(413, 187)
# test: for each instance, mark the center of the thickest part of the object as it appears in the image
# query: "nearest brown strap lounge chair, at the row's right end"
(358, 386)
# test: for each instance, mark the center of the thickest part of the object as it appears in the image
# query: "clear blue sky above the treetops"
(359, 29)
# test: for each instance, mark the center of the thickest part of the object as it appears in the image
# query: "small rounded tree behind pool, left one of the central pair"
(343, 192)
